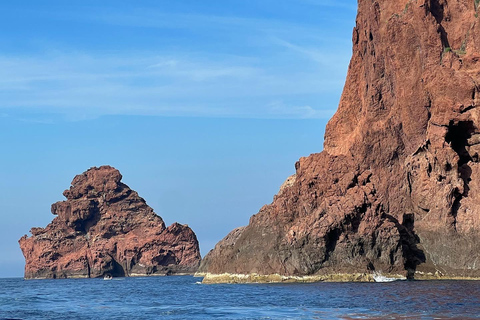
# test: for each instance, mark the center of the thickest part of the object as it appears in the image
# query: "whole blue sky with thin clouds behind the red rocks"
(204, 106)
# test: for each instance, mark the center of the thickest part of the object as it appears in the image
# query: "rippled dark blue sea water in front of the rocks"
(183, 297)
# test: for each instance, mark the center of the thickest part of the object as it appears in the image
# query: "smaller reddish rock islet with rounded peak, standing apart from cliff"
(104, 227)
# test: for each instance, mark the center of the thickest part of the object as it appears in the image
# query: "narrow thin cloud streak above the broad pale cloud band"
(223, 26)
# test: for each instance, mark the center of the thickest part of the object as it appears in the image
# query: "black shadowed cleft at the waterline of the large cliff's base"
(412, 255)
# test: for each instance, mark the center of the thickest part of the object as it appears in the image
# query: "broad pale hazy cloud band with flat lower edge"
(156, 85)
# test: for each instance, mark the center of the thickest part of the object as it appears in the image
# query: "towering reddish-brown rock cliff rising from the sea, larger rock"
(397, 187)
